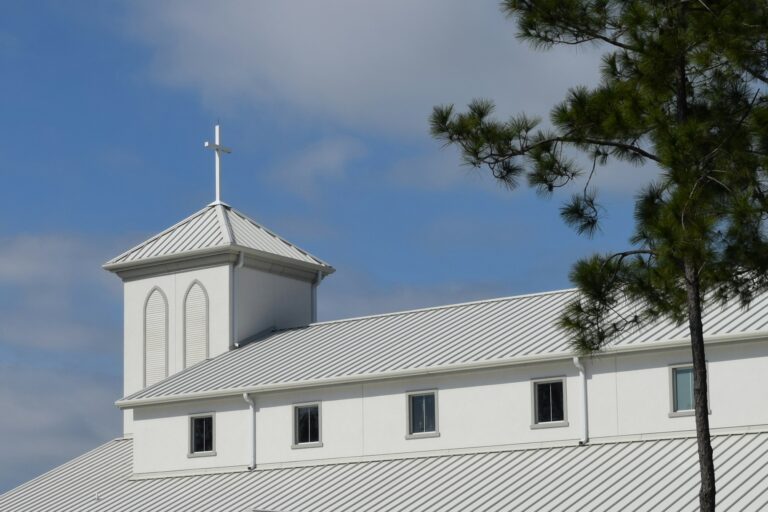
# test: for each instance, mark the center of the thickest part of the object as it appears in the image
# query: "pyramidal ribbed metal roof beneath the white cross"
(217, 227)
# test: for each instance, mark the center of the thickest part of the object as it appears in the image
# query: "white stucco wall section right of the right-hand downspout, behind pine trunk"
(630, 394)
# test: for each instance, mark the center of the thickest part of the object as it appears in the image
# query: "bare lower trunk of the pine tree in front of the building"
(700, 393)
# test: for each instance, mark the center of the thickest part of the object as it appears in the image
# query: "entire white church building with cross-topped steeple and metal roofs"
(237, 399)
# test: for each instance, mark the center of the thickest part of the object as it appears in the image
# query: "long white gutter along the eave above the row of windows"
(128, 403)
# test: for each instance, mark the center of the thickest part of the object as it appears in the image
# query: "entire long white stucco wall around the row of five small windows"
(629, 395)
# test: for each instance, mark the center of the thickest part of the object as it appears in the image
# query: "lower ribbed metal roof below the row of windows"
(642, 475)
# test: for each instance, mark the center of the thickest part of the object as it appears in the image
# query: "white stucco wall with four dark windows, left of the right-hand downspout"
(483, 408)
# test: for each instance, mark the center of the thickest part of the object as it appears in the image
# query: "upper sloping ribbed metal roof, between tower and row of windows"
(462, 336)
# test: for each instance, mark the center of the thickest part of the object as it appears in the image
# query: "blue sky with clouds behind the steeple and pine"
(105, 106)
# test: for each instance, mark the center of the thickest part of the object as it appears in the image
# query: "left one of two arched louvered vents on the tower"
(155, 338)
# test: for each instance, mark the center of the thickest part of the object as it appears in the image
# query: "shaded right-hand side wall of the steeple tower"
(266, 300)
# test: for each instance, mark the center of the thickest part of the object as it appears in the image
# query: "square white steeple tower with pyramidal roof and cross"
(204, 285)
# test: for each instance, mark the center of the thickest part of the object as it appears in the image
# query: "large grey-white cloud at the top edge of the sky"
(369, 65)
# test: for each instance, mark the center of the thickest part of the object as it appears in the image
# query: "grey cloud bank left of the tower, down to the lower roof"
(60, 336)
